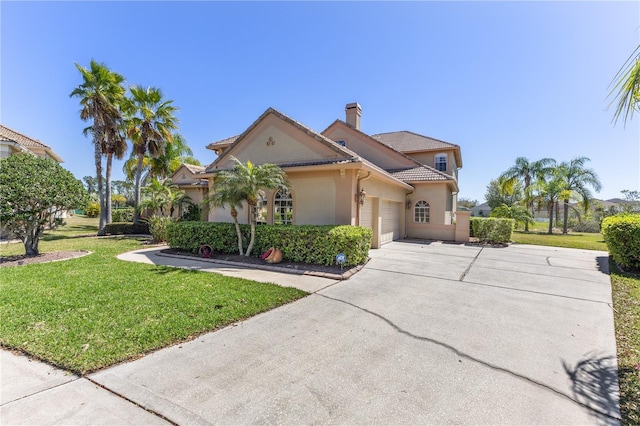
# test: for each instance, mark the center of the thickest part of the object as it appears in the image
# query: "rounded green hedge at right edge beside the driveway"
(622, 235)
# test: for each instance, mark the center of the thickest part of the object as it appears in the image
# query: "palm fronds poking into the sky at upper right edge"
(627, 85)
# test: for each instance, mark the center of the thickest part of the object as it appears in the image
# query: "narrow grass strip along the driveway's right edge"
(626, 302)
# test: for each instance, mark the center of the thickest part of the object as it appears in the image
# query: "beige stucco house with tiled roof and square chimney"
(399, 184)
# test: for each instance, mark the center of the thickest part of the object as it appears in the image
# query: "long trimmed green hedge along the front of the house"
(315, 244)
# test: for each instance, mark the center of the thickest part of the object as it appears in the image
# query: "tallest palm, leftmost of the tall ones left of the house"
(101, 95)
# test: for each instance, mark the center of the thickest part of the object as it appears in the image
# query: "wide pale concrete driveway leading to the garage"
(426, 333)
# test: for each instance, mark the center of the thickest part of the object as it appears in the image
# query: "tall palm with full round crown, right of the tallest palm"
(150, 124)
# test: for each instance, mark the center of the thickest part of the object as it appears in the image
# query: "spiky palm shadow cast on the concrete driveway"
(595, 385)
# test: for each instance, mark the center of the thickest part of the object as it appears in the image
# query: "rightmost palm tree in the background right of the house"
(577, 179)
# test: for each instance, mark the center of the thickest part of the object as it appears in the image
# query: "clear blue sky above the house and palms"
(500, 79)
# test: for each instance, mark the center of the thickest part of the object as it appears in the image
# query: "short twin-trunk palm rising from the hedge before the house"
(248, 179)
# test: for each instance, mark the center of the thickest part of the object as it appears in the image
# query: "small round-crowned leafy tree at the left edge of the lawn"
(34, 189)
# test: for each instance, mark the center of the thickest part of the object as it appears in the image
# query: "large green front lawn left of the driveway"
(87, 313)
